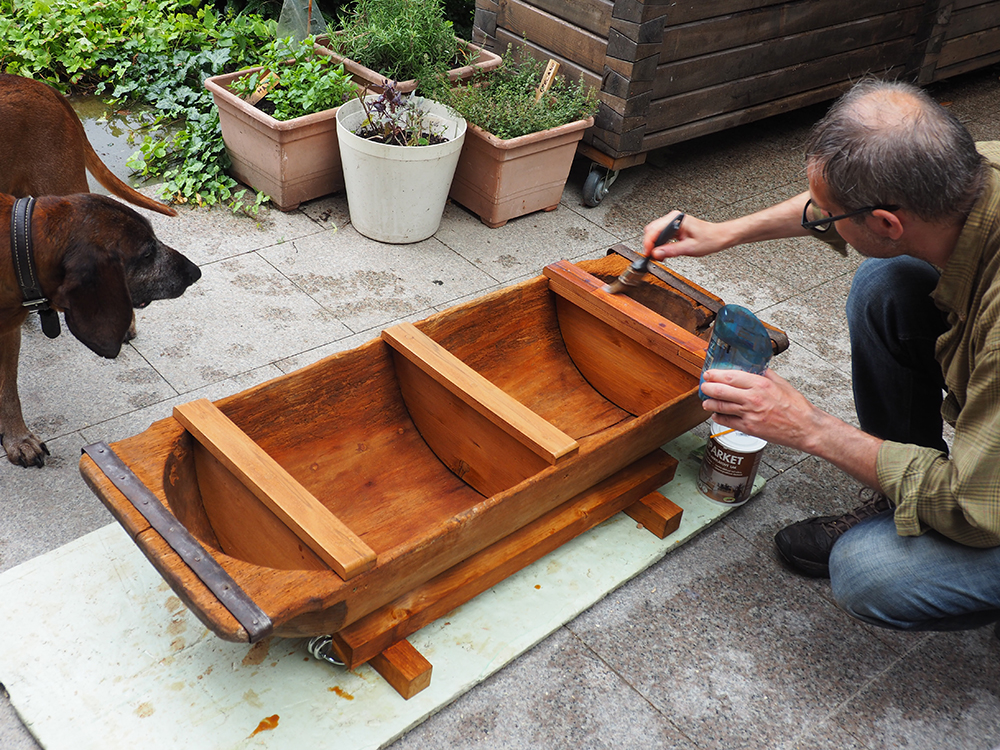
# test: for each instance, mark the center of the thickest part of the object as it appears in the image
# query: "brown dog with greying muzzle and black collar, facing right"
(97, 260)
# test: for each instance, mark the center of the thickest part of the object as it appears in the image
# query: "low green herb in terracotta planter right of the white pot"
(502, 102)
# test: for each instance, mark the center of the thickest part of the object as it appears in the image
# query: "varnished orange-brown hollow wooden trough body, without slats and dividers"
(341, 429)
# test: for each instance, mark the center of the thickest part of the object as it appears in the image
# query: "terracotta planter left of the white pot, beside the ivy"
(291, 161)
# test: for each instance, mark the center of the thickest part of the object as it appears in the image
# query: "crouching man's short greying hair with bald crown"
(890, 143)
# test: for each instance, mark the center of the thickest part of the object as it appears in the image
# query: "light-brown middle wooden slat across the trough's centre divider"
(477, 392)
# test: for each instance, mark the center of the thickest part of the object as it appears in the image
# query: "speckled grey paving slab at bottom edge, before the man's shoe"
(767, 661)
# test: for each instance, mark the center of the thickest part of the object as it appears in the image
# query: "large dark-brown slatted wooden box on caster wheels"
(670, 70)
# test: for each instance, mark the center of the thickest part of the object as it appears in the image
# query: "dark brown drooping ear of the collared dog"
(95, 299)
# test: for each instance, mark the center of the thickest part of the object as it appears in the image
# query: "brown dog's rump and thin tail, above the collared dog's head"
(44, 149)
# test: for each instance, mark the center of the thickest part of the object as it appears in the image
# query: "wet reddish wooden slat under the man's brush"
(627, 316)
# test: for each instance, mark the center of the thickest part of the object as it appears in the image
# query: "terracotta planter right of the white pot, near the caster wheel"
(502, 179)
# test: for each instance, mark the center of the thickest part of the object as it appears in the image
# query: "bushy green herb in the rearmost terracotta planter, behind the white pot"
(399, 39)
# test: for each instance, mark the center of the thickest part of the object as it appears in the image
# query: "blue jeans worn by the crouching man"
(906, 583)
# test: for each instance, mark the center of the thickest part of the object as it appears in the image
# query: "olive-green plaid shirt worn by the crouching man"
(959, 496)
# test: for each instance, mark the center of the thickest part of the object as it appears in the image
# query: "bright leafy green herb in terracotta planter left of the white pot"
(308, 82)
